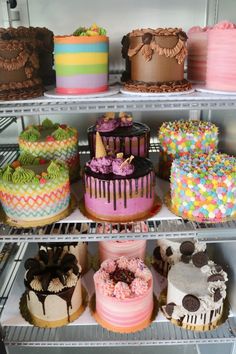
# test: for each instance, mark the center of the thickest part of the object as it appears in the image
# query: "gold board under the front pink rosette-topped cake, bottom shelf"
(110, 327)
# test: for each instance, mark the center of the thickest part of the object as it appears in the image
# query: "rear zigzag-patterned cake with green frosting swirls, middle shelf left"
(52, 141)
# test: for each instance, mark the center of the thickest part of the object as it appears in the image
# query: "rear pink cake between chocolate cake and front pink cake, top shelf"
(197, 53)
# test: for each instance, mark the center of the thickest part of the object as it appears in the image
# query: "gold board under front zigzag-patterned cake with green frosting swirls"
(37, 223)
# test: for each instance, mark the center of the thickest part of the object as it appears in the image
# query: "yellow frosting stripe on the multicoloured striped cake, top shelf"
(81, 58)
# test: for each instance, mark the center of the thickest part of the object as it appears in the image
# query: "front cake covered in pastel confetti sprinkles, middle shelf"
(203, 187)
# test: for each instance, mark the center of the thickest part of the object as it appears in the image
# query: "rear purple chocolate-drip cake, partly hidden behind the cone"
(120, 134)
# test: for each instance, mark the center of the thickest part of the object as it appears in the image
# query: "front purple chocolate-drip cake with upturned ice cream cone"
(118, 189)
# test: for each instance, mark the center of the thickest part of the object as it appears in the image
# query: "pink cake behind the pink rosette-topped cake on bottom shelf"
(118, 248)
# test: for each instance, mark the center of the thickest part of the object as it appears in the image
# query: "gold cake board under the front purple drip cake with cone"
(141, 217)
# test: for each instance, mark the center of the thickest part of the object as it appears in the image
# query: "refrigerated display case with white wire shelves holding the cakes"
(17, 243)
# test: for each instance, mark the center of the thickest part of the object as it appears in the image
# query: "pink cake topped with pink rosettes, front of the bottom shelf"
(124, 295)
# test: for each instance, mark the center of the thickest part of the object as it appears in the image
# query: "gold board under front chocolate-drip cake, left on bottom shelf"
(38, 322)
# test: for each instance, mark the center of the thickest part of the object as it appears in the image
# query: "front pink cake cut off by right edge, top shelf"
(221, 57)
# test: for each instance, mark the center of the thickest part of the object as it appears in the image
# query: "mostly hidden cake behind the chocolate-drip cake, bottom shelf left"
(78, 249)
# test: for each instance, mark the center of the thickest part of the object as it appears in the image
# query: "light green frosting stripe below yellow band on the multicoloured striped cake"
(69, 70)
